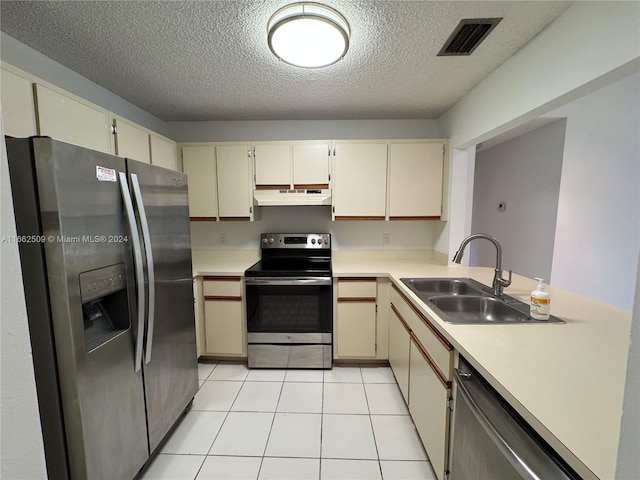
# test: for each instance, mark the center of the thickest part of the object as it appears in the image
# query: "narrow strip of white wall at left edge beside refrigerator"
(22, 452)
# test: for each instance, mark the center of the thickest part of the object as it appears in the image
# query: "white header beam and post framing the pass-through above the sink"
(590, 45)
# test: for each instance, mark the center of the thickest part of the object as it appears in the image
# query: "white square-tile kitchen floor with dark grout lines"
(346, 423)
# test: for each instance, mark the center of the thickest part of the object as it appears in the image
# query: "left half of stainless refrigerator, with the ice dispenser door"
(91, 299)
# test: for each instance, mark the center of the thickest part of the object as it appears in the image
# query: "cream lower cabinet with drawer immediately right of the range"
(356, 325)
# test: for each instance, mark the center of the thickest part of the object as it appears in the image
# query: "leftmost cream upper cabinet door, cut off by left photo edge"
(18, 112)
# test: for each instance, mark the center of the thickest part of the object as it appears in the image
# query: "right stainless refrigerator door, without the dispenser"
(171, 376)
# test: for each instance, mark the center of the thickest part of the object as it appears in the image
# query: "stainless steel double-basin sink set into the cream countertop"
(466, 301)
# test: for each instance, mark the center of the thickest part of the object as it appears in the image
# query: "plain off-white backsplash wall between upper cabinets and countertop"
(346, 235)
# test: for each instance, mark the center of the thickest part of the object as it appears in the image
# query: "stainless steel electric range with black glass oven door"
(289, 295)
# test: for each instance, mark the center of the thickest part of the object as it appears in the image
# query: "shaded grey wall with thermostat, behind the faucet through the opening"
(525, 173)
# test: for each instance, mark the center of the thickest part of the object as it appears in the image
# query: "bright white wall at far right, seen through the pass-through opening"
(598, 232)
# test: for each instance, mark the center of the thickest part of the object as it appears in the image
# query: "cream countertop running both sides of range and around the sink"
(566, 380)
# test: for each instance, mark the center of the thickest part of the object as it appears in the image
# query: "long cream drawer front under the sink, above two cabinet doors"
(440, 350)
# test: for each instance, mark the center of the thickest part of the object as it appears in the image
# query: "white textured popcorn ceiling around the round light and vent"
(194, 60)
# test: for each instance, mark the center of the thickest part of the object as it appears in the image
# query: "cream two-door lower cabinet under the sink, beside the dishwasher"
(422, 361)
